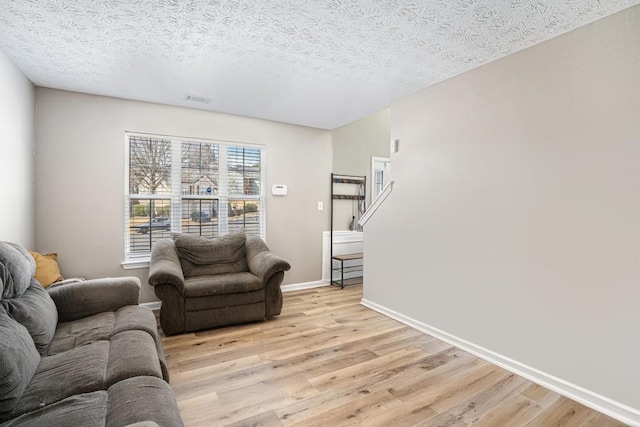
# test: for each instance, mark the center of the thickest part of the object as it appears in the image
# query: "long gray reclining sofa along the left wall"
(80, 354)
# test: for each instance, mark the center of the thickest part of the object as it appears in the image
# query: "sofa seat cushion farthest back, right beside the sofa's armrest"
(102, 326)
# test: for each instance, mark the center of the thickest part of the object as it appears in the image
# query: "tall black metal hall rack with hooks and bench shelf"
(360, 198)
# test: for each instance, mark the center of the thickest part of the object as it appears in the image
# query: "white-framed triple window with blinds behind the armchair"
(205, 188)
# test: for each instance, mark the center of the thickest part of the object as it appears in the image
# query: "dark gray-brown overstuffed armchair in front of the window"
(205, 283)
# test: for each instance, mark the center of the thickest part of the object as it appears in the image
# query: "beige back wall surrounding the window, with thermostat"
(80, 175)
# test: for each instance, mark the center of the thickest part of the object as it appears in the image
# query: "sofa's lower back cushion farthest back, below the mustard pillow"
(36, 311)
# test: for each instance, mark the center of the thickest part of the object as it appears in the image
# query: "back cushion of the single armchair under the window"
(200, 256)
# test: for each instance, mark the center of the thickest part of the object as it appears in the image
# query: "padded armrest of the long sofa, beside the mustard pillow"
(81, 299)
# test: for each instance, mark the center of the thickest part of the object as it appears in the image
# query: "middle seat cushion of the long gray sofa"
(91, 367)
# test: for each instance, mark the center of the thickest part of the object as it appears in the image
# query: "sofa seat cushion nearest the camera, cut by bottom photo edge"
(134, 400)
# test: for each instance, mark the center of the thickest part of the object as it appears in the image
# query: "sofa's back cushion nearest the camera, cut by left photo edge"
(19, 360)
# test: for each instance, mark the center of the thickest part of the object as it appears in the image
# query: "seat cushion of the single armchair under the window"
(221, 284)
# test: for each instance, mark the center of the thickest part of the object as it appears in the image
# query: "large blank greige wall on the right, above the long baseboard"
(514, 222)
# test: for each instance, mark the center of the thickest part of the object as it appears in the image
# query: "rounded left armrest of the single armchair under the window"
(164, 267)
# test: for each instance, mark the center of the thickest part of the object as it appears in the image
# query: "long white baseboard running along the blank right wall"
(617, 410)
